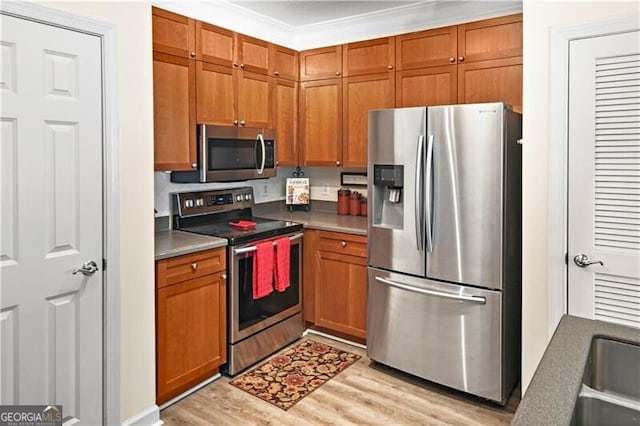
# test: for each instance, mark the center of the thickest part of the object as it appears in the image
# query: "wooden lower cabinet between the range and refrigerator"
(340, 283)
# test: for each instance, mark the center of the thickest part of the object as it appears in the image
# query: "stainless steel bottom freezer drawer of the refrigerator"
(445, 333)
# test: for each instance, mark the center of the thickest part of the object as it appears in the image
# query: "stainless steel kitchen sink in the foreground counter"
(610, 391)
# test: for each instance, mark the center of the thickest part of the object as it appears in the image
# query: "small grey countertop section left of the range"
(170, 243)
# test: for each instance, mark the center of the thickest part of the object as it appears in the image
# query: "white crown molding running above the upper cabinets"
(399, 20)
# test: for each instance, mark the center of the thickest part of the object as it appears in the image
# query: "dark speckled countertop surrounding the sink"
(553, 391)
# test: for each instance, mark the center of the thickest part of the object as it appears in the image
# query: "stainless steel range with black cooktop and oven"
(255, 327)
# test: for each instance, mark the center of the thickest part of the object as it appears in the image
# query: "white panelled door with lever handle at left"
(51, 216)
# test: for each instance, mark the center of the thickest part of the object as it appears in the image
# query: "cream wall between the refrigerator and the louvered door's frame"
(539, 18)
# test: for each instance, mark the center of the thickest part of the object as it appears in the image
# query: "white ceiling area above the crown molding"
(307, 12)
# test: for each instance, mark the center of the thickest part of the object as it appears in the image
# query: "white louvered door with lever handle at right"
(604, 178)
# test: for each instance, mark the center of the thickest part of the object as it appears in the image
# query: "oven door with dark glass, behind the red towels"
(248, 315)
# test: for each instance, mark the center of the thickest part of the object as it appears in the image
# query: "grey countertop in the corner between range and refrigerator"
(323, 219)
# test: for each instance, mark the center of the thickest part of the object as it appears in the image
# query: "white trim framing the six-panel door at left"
(111, 225)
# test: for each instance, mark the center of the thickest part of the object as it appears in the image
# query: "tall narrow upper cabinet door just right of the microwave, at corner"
(284, 97)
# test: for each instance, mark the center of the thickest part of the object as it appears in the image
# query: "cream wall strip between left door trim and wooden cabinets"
(135, 102)
